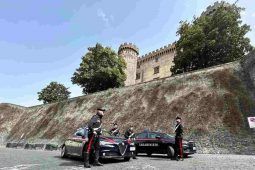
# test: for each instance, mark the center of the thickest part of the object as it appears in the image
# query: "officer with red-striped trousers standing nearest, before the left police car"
(94, 131)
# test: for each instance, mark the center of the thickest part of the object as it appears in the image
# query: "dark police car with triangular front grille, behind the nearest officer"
(110, 147)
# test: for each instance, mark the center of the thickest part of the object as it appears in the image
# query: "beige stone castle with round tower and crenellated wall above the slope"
(151, 66)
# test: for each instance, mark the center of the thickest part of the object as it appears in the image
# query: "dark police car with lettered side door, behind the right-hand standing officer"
(160, 143)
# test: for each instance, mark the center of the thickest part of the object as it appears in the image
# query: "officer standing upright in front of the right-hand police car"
(178, 139)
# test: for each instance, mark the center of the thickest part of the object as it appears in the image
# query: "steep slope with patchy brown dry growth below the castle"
(213, 103)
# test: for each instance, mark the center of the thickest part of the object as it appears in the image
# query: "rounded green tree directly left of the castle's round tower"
(101, 68)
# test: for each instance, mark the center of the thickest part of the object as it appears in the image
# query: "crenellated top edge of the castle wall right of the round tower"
(158, 52)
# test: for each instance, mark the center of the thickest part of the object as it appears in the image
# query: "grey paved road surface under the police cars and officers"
(20, 159)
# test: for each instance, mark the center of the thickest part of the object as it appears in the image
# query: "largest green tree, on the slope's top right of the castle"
(216, 37)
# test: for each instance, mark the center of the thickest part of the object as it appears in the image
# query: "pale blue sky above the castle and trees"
(43, 41)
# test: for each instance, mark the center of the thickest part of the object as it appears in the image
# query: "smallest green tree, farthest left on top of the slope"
(54, 92)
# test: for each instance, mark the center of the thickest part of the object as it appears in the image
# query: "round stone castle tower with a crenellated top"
(130, 54)
